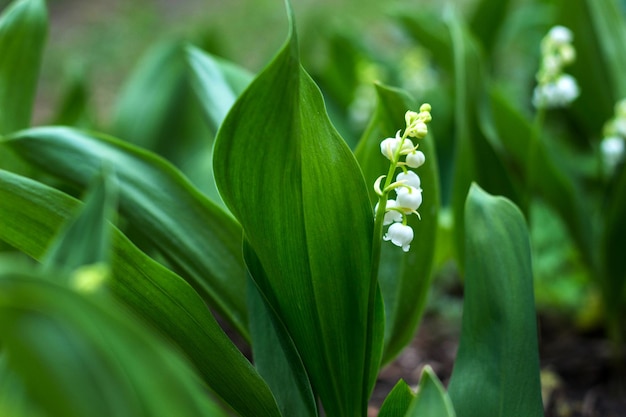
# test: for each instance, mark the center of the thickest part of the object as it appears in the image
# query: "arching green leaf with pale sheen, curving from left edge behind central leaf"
(190, 231)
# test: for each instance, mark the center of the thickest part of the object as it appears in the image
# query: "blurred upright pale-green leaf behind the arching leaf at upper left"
(157, 110)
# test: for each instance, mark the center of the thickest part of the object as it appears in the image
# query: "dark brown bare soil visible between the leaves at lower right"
(579, 376)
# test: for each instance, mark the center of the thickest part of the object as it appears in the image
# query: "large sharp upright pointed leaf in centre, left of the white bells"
(296, 189)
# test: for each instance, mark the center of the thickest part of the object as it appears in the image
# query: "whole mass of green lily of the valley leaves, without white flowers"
(219, 193)
